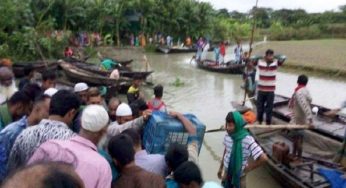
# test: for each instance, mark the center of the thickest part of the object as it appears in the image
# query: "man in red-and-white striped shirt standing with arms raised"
(266, 85)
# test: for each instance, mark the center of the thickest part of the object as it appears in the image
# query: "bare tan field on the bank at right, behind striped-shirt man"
(319, 57)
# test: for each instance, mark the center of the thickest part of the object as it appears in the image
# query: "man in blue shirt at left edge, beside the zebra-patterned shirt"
(9, 134)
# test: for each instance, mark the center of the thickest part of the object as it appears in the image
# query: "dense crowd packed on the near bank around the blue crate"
(75, 138)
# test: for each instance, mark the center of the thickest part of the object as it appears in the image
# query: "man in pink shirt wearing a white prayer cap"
(81, 149)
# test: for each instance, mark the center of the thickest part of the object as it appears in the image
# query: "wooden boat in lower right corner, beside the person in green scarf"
(318, 153)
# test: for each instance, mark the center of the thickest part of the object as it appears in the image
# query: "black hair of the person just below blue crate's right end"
(176, 155)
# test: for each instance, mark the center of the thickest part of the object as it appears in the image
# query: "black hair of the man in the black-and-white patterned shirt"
(62, 102)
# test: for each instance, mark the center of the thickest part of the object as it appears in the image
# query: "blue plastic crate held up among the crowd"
(161, 130)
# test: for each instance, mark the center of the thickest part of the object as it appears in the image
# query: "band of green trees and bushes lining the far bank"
(26, 26)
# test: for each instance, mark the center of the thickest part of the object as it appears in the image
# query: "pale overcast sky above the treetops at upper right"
(308, 5)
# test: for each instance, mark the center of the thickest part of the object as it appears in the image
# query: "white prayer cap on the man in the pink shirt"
(94, 118)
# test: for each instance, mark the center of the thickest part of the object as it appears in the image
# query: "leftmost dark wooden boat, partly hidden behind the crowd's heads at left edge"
(40, 66)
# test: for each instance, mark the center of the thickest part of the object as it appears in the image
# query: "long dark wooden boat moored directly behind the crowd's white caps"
(75, 75)
